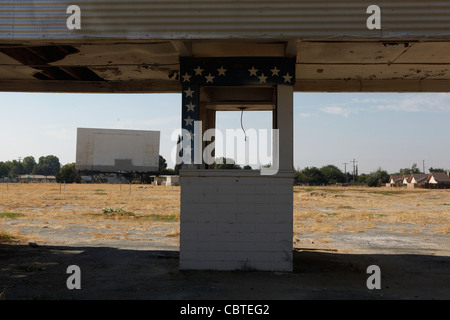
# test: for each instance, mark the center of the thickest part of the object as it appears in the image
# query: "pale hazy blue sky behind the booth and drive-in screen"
(378, 130)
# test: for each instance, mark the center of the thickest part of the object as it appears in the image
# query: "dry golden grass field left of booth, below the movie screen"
(108, 211)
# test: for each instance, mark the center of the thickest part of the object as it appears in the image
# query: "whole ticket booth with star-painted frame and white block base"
(237, 219)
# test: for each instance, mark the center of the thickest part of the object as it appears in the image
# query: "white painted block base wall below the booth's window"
(236, 220)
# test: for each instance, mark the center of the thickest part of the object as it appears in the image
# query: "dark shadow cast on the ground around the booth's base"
(110, 273)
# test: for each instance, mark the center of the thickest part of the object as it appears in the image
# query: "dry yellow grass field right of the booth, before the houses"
(408, 211)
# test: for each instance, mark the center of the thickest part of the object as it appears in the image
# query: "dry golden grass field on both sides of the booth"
(119, 209)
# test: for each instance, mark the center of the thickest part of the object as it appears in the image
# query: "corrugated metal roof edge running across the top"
(221, 19)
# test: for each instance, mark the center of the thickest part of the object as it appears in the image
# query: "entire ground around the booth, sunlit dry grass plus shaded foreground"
(338, 233)
